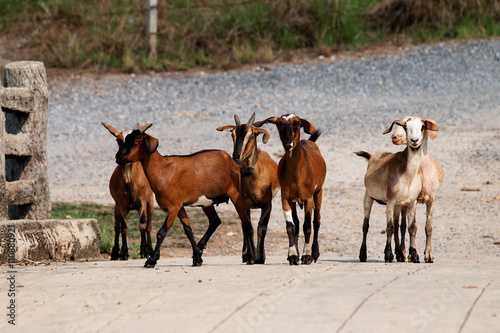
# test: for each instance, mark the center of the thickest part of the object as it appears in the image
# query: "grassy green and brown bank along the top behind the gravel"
(109, 34)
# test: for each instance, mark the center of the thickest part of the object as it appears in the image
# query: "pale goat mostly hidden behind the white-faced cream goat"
(432, 179)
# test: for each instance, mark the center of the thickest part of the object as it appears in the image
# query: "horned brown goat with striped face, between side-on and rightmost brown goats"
(261, 184)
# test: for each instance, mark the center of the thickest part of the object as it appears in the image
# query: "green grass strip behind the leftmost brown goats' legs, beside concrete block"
(104, 214)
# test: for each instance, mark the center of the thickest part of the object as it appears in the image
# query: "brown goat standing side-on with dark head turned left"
(201, 179)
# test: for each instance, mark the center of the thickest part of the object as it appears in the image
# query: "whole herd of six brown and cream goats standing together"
(251, 178)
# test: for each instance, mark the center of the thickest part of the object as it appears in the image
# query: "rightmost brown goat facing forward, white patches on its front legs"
(301, 174)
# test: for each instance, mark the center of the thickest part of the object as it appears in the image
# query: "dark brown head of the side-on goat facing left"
(136, 146)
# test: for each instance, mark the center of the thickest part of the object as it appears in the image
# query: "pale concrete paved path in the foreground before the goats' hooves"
(333, 295)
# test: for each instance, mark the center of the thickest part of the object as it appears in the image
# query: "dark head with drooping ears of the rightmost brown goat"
(289, 126)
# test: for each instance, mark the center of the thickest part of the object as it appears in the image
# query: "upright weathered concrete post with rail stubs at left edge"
(25, 103)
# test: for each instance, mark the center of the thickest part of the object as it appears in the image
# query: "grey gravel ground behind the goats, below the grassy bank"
(352, 99)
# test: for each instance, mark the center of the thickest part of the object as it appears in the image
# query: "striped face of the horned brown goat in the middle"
(244, 138)
